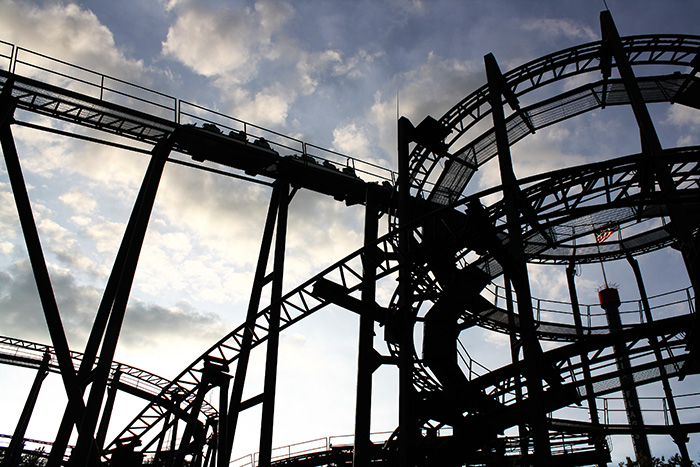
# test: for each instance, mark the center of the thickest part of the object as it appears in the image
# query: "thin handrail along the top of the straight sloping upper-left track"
(105, 88)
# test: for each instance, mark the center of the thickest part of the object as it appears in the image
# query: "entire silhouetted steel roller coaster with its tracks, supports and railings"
(459, 256)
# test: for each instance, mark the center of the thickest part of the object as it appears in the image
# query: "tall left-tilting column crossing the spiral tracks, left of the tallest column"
(518, 267)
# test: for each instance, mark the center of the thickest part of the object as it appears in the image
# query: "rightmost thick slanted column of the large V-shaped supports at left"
(140, 215)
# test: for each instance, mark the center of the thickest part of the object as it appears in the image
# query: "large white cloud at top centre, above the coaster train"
(255, 58)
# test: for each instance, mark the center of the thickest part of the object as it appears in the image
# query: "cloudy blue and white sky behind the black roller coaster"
(331, 73)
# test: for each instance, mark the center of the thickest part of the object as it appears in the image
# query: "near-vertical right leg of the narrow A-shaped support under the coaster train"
(270, 385)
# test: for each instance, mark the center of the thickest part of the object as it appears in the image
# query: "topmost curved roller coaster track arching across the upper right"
(467, 157)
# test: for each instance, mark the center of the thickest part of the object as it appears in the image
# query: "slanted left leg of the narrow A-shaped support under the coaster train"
(259, 283)
